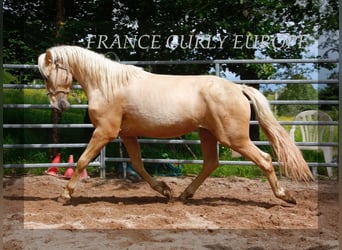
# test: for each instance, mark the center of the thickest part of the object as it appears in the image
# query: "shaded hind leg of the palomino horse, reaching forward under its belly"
(210, 162)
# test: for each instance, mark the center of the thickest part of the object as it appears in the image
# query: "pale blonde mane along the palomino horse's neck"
(98, 70)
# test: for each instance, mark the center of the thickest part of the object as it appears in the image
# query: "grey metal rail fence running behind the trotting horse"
(103, 159)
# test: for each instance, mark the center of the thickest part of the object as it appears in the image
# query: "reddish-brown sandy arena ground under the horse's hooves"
(225, 213)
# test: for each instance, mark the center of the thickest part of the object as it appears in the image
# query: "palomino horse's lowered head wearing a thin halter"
(57, 78)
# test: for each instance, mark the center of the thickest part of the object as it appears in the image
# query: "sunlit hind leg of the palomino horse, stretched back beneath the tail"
(264, 161)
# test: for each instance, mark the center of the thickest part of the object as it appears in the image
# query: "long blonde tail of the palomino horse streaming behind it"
(289, 156)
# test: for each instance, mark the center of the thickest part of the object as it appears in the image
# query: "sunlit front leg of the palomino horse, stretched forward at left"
(97, 142)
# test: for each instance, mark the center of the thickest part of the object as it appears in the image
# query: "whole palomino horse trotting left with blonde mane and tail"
(127, 101)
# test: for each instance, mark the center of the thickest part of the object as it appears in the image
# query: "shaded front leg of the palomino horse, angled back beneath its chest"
(133, 149)
